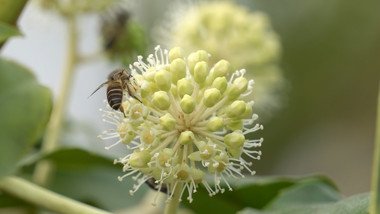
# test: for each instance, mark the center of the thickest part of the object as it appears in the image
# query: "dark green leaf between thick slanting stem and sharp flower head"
(92, 178)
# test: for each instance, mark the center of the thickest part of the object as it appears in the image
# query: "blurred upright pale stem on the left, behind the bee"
(50, 141)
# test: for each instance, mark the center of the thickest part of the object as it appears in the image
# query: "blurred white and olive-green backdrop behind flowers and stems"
(331, 63)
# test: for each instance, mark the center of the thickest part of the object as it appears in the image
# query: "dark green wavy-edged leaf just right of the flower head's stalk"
(256, 192)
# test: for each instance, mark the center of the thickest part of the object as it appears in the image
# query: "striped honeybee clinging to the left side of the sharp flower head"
(119, 81)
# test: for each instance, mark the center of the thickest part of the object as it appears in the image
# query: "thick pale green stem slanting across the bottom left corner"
(42, 197)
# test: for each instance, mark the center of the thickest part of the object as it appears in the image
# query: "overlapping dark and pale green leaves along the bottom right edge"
(281, 195)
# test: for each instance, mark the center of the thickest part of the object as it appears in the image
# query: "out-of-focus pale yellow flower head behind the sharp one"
(229, 31)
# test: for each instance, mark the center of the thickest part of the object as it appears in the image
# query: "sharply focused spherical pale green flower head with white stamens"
(192, 121)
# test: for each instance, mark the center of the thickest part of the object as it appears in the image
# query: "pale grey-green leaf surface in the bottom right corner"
(357, 204)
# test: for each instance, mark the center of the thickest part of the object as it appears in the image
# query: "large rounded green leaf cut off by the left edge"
(24, 111)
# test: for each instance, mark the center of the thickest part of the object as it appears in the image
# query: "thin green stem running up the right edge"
(375, 186)
